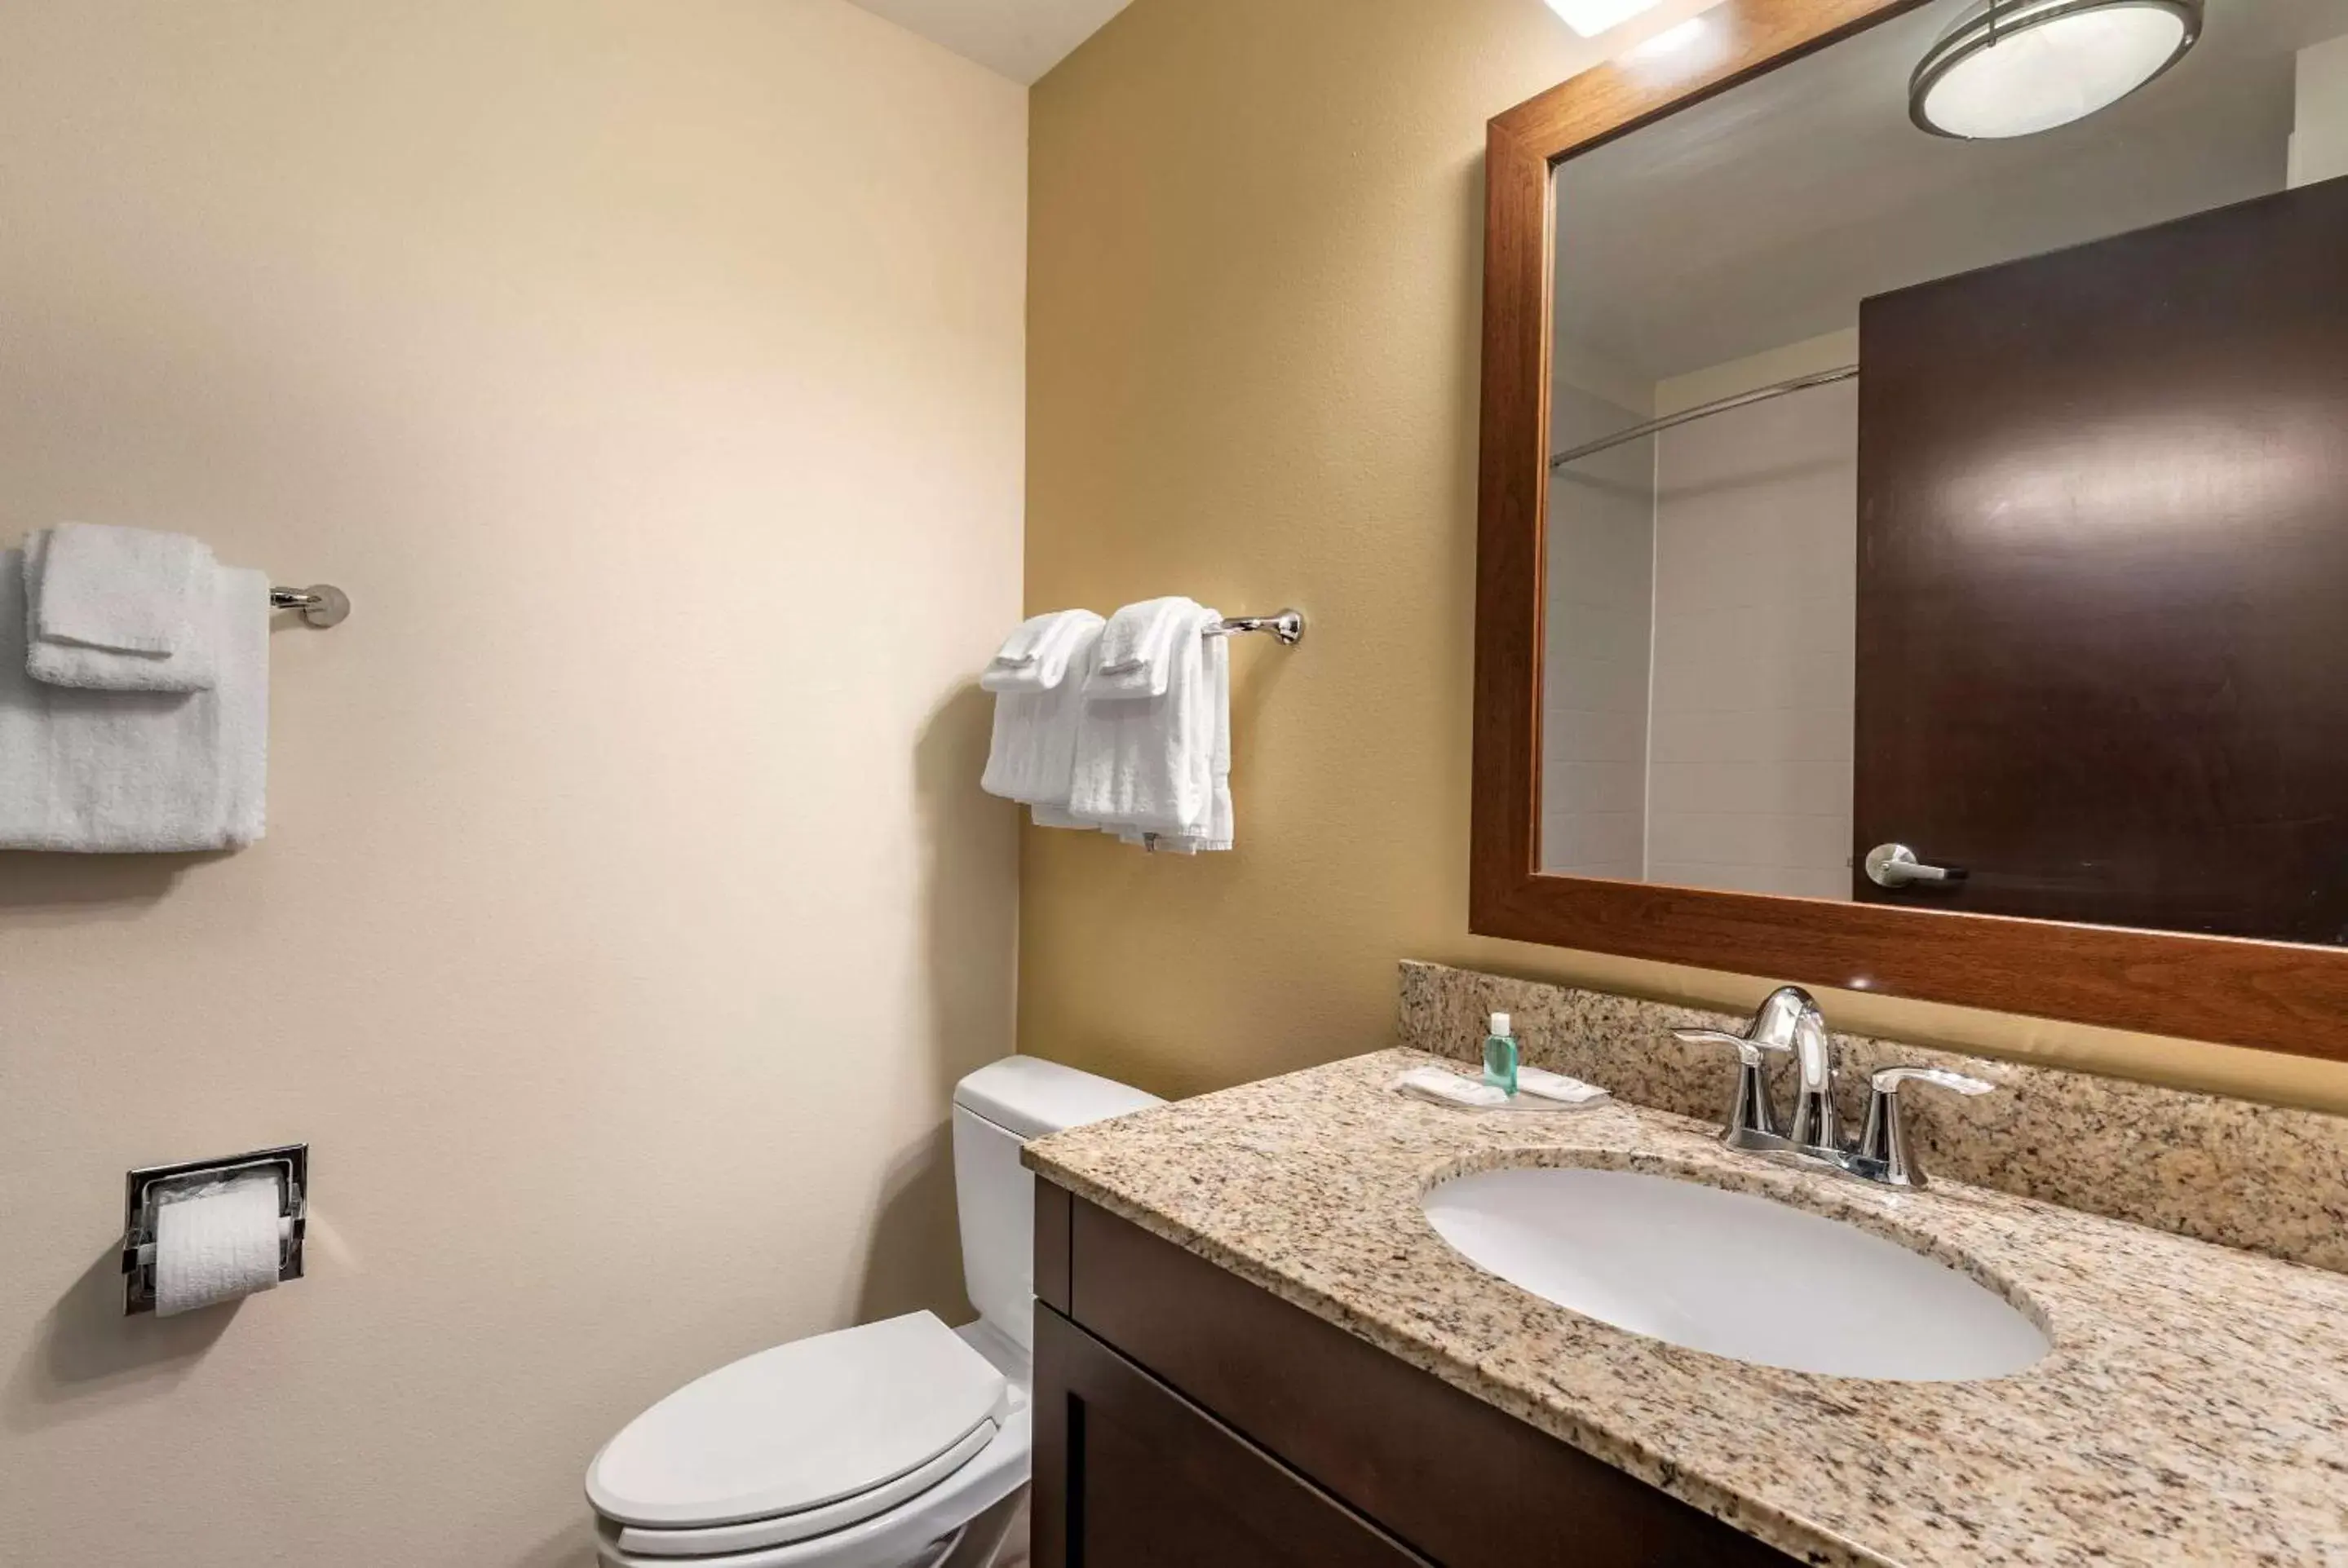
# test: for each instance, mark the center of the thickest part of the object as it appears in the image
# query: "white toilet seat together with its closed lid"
(856, 1449)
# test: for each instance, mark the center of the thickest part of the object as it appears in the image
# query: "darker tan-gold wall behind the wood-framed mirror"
(1253, 377)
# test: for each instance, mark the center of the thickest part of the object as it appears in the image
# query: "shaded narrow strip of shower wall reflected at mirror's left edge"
(1595, 668)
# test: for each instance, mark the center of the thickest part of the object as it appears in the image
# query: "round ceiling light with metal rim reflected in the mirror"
(2025, 67)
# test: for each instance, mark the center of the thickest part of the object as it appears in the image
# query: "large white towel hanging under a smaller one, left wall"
(137, 771)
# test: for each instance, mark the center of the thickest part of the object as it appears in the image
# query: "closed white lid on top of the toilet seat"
(799, 1426)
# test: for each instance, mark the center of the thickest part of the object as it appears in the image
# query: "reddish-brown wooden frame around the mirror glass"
(2262, 994)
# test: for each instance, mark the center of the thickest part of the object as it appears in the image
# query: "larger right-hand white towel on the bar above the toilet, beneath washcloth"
(1149, 764)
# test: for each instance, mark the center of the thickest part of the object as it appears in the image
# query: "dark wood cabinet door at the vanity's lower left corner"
(1133, 1475)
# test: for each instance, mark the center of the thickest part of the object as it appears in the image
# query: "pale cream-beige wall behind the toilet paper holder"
(652, 377)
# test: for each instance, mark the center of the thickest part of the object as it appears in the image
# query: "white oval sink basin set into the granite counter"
(1732, 1273)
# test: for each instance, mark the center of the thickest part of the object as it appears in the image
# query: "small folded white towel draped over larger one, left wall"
(72, 565)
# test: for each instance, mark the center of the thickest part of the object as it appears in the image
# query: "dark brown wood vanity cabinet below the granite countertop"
(1187, 1417)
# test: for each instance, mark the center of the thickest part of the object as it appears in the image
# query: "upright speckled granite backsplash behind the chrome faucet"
(2222, 1170)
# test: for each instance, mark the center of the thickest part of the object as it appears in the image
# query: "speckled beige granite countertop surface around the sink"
(2194, 1405)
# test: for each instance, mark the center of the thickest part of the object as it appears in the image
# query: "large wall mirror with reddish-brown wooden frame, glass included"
(2079, 628)
